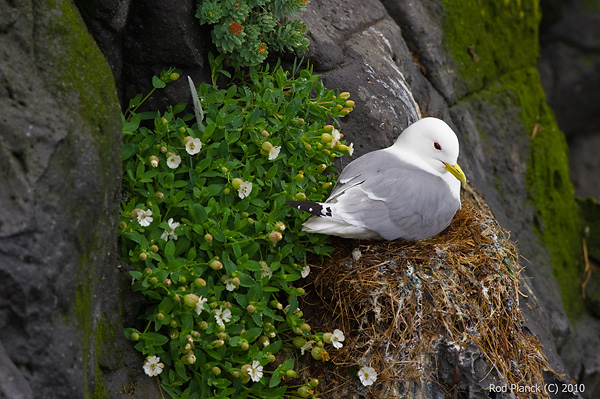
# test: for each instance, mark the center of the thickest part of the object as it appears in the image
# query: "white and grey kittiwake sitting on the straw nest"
(410, 190)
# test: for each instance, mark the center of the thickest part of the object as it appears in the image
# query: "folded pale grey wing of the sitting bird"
(393, 198)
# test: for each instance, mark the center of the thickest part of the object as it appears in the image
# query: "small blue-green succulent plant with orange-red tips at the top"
(246, 30)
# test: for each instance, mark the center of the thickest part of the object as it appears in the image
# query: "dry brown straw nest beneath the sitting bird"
(406, 307)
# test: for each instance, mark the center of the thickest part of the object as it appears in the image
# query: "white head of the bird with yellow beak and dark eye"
(434, 143)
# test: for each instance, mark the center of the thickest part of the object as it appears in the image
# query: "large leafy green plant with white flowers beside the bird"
(217, 253)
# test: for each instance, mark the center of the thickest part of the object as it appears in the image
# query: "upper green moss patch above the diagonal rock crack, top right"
(490, 38)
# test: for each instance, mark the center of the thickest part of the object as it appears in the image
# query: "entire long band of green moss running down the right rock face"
(495, 48)
